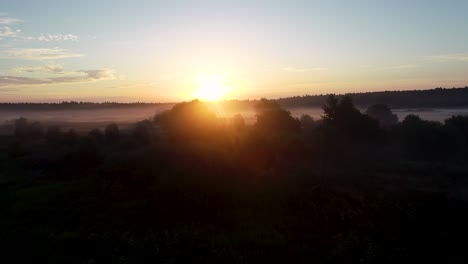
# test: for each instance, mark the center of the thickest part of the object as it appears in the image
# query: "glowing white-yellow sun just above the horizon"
(211, 87)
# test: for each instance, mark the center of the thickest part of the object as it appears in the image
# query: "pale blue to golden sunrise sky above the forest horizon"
(166, 51)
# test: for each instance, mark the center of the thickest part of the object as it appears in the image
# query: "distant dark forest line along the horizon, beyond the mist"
(438, 97)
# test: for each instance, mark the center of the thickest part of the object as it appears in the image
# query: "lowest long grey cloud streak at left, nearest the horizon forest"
(84, 76)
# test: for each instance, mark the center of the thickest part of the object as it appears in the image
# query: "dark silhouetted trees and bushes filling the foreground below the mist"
(190, 187)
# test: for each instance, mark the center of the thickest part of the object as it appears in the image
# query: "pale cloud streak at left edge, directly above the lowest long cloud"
(39, 54)
